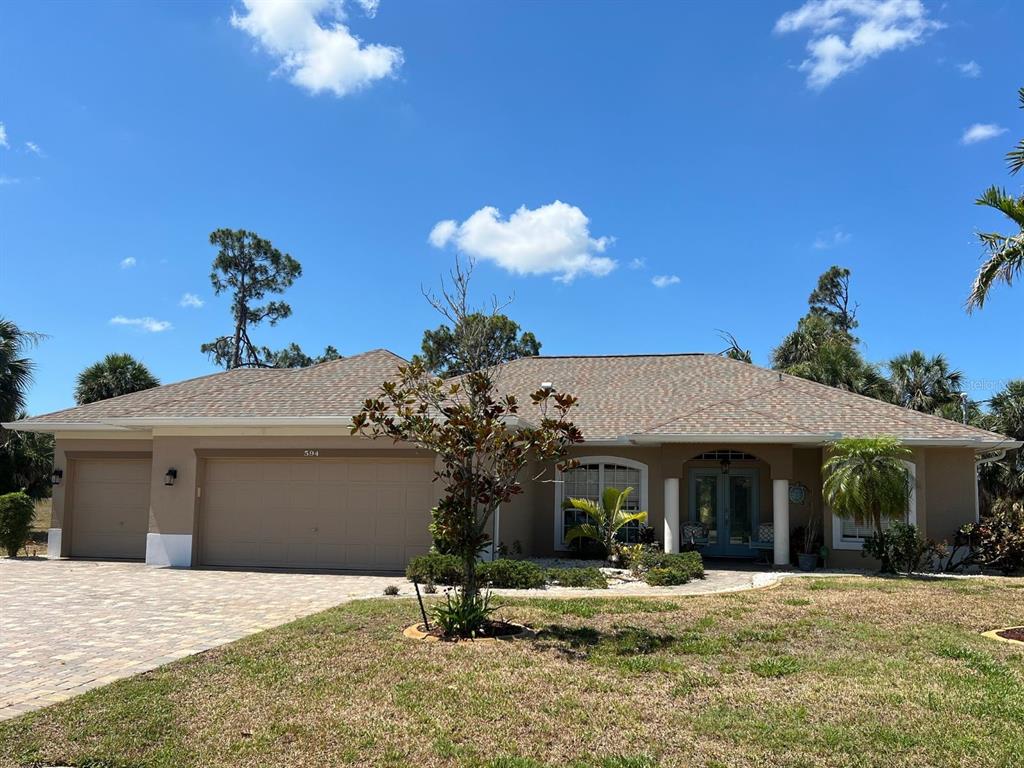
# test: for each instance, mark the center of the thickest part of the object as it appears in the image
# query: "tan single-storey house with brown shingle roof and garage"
(257, 468)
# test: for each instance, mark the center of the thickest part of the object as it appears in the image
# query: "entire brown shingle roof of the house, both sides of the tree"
(651, 398)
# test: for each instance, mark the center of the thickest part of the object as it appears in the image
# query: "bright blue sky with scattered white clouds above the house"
(734, 151)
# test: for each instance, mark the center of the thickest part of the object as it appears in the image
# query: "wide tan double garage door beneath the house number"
(366, 514)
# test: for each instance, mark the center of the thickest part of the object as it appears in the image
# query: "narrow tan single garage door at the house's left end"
(110, 508)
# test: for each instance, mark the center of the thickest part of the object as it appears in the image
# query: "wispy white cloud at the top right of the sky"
(871, 29)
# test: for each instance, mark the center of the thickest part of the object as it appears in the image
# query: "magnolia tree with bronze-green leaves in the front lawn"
(482, 443)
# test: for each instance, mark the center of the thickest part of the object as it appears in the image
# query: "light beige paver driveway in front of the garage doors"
(68, 626)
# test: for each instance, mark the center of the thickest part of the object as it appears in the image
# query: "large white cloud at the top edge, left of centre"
(316, 50)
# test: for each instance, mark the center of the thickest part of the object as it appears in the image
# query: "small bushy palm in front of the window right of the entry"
(866, 478)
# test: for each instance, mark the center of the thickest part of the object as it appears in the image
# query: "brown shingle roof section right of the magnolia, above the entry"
(675, 396)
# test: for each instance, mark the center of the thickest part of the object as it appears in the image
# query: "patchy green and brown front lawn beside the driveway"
(837, 672)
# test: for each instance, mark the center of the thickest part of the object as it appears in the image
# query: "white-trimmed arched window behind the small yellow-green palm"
(589, 481)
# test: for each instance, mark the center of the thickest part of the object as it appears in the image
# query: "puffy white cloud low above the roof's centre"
(551, 240)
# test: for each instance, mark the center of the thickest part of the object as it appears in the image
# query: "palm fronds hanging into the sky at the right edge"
(1006, 252)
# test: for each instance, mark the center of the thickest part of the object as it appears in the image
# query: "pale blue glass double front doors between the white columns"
(727, 506)
